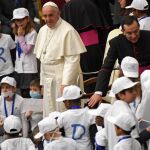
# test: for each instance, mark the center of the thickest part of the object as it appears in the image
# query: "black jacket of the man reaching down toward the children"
(120, 47)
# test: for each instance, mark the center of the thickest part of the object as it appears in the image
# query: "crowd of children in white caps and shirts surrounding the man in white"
(122, 125)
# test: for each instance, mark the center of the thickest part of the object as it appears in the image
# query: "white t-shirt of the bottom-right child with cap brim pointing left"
(128, 144)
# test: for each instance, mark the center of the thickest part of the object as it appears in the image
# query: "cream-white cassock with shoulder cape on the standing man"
(59, 50)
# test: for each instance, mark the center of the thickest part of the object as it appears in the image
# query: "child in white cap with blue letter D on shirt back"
(76, 121)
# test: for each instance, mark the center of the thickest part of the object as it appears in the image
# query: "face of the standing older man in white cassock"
(50, 15)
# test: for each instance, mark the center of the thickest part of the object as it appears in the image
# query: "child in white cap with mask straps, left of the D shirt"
(48, 128)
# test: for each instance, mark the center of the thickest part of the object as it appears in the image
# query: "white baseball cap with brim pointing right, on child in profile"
(121, 84)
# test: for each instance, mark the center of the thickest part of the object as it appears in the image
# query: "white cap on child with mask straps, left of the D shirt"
(46, 125)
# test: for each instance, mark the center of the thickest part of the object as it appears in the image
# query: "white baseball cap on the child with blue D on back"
(70, 93)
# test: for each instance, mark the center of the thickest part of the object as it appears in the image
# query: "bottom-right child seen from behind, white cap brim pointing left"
(124, 124)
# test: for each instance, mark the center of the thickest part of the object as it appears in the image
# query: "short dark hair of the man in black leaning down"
(128, 20)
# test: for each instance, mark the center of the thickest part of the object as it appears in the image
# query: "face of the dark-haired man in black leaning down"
(132, 32)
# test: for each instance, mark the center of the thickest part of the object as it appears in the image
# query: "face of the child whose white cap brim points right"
(129, 95)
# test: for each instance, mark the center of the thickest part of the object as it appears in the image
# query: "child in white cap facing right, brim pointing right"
(124, 90)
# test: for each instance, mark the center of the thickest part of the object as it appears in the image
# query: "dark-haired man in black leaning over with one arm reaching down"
(132, 42)
